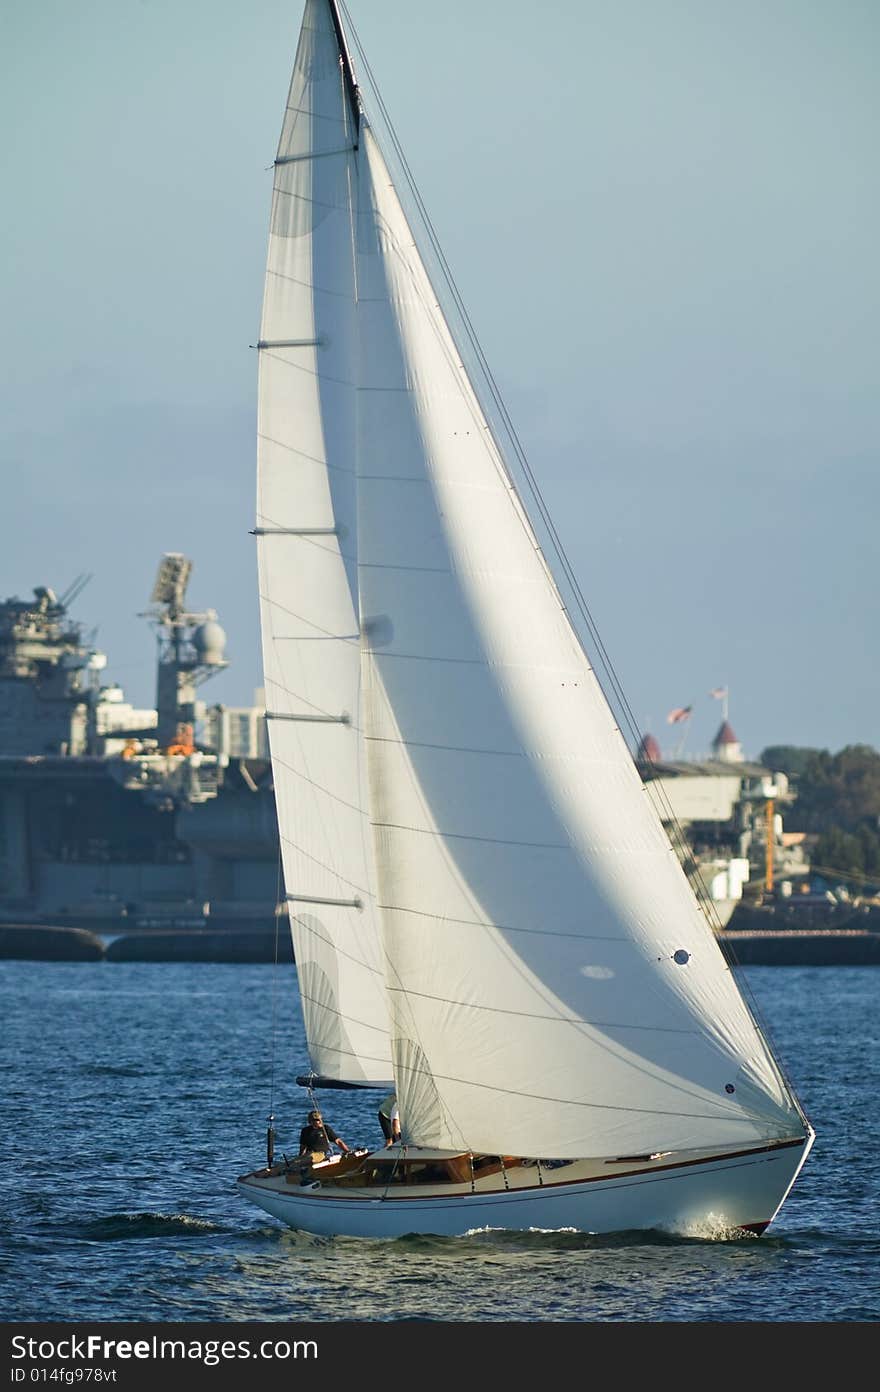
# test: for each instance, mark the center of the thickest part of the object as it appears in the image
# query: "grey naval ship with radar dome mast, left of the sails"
(123, 821)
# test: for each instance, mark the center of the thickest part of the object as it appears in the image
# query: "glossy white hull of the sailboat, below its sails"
(711, 1198)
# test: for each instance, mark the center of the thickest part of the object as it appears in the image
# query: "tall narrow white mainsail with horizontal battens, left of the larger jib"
(307, 542)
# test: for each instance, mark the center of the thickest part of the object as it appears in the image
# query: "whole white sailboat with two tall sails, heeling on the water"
(487, 912)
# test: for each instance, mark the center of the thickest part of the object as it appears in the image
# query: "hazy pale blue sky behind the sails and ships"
(663, 219)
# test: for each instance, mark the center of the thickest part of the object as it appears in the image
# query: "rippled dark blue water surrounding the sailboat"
(134, 1095)
